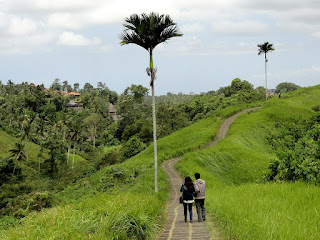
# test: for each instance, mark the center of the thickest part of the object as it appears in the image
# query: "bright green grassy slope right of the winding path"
(245, 208)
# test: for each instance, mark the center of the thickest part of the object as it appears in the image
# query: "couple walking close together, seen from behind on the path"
(191, 190)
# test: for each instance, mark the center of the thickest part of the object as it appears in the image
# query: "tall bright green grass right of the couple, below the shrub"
(268, 211)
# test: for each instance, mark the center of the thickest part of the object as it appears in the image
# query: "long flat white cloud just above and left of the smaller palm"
(243, 28)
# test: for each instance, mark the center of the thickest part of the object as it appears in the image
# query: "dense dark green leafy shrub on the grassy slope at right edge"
(297, 149)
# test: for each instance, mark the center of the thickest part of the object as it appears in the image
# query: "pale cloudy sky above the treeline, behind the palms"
(78, 41)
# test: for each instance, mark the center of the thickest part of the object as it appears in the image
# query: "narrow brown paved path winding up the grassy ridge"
(175, 227)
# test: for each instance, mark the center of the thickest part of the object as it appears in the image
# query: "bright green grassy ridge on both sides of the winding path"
(119, 201)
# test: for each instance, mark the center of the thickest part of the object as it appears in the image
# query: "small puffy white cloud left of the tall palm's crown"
(72, 39)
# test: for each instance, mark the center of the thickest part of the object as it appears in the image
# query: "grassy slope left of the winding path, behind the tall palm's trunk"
(92, 206)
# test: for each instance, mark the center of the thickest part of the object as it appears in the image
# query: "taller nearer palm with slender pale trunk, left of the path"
(147, 31)
